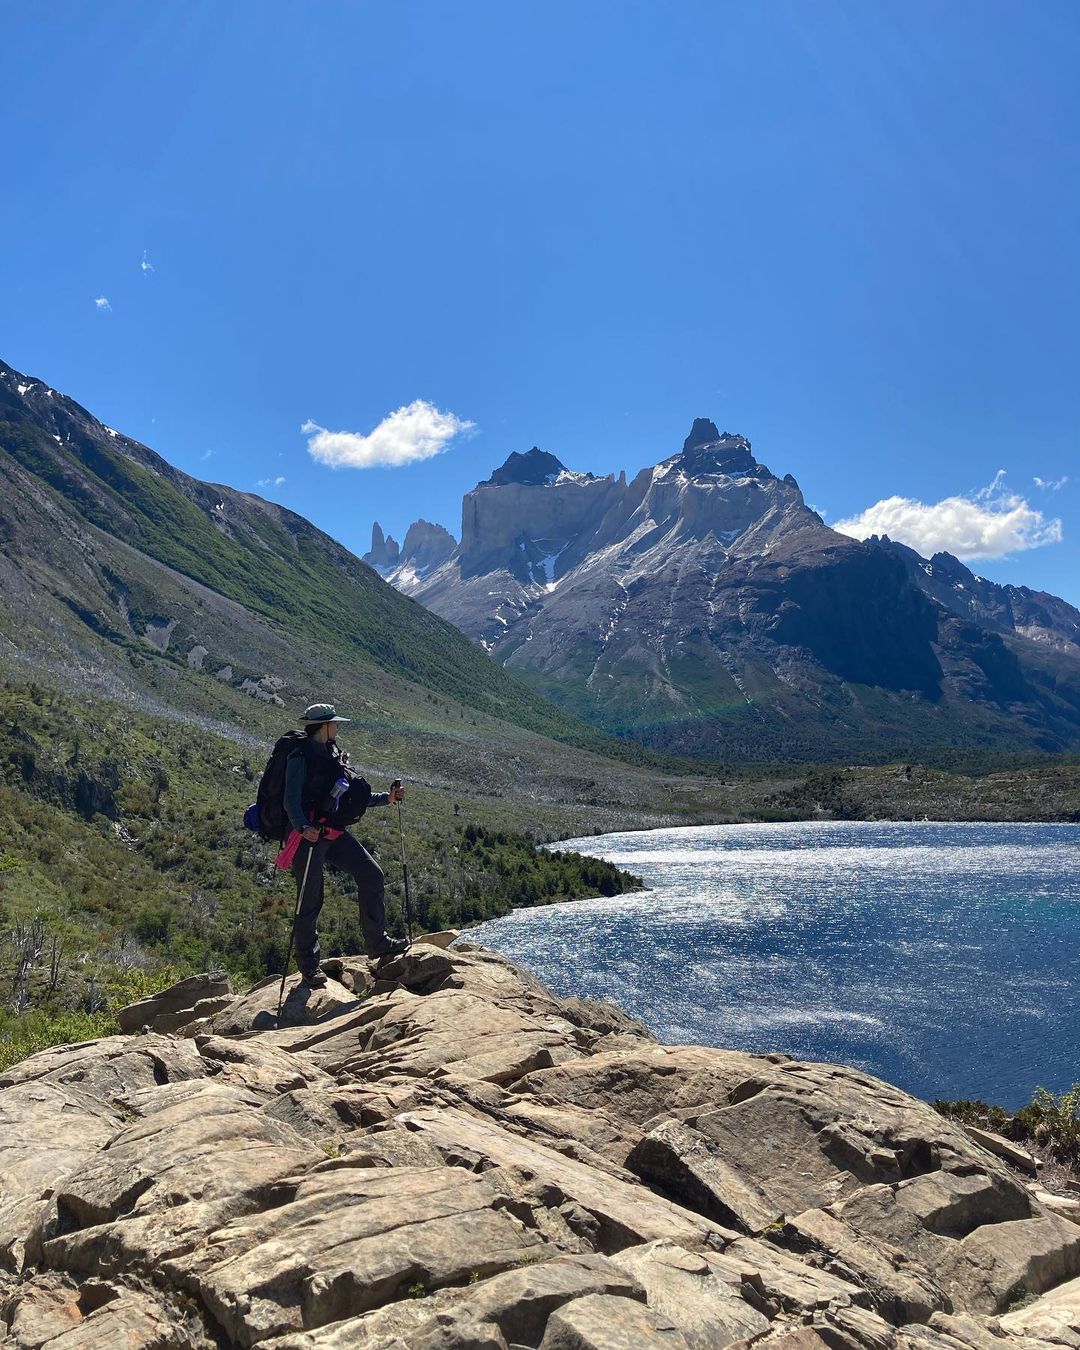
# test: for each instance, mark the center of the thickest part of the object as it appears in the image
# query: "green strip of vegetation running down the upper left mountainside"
(279, 566)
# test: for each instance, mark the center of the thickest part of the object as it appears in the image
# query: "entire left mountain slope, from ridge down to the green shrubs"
(126, 578)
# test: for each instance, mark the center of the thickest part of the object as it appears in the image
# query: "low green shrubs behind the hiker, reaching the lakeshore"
(125, 865)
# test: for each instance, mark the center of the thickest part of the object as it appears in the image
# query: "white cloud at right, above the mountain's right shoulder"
(990, 523)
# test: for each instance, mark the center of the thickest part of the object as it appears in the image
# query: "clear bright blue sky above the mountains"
(848, 230)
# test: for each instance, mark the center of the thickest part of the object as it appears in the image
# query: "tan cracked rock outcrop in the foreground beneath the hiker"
(443, 1154)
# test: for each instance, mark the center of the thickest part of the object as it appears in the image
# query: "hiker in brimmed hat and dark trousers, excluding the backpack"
(311, 773)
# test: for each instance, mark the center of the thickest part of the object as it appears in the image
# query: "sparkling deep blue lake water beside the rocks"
(943, 958)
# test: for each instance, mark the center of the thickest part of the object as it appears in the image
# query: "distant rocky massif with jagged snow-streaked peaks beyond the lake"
(704, 608)
